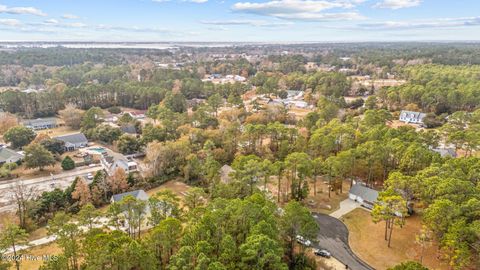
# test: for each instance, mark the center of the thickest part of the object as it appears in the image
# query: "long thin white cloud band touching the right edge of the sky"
(432, 23)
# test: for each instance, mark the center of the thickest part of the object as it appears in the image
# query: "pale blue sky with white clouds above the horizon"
(239, 20)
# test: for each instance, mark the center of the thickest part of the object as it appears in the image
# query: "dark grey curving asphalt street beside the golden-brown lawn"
(333, 236)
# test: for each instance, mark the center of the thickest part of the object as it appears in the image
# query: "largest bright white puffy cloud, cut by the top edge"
(309, 10)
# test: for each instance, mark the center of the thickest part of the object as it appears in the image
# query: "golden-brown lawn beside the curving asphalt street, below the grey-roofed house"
(367, 240)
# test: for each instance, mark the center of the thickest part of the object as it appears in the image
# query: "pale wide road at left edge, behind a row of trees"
(41, 184)
